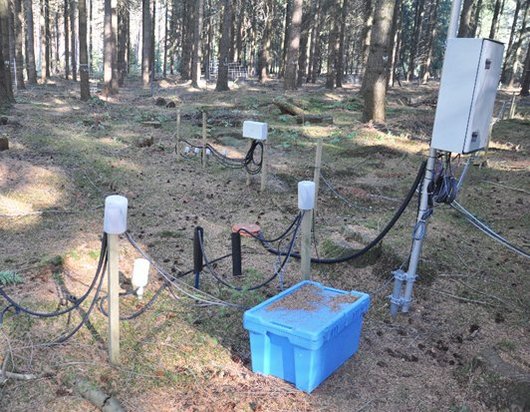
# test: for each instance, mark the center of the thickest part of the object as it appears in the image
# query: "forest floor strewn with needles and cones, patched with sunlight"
(464, 346)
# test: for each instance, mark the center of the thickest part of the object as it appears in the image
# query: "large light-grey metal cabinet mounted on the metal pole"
(470, 77)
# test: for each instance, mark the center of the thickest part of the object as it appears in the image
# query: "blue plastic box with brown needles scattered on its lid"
(305, 345)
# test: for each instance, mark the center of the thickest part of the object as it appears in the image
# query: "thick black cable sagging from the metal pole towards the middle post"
(378, 238)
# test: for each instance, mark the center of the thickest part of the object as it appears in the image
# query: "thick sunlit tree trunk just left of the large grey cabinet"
(375, 79)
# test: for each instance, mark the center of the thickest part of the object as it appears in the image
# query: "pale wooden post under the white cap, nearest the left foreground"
(114, 304)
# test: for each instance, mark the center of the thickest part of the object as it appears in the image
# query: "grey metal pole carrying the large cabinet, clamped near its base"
(401, 299)
